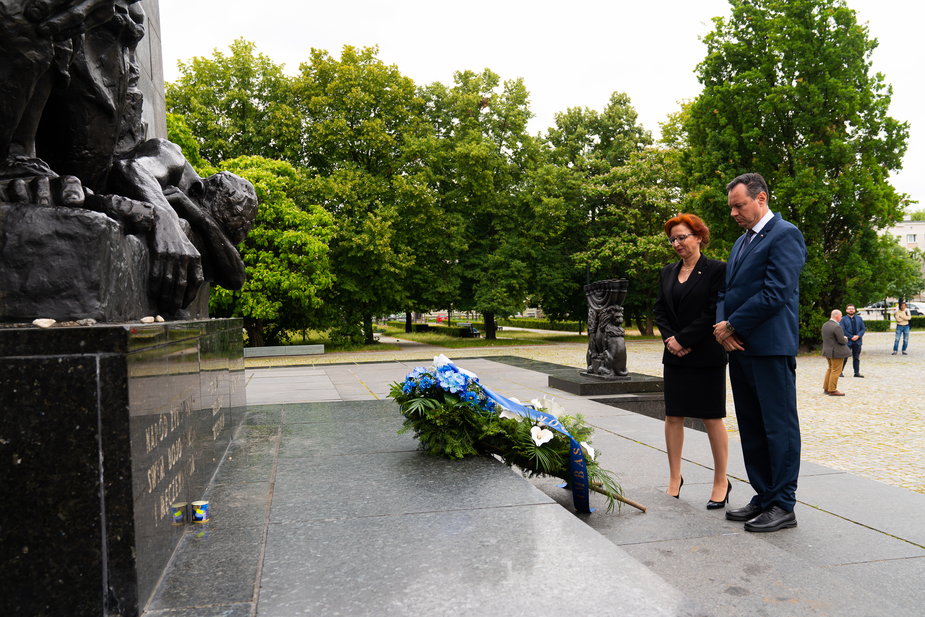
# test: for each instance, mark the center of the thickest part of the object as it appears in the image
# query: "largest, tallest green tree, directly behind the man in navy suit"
(789, 93)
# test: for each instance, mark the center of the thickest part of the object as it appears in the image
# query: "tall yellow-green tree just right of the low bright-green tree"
(363, 125)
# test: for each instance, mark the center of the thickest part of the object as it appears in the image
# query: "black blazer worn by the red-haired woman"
(691, 323)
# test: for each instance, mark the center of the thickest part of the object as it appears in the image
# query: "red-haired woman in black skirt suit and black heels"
(695, 364)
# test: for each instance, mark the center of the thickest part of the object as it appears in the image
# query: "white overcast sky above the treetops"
(570, 54)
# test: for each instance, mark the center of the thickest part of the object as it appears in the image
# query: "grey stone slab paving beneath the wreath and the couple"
(320, 508)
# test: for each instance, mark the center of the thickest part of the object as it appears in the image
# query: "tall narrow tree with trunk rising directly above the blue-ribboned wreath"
(481, 165)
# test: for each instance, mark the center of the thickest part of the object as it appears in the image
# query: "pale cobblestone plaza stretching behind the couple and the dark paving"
(877, 430)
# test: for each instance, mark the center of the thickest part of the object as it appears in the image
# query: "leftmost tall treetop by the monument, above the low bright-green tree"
(238, 104)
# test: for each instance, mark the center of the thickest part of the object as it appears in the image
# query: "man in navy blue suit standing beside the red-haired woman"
(758, 323)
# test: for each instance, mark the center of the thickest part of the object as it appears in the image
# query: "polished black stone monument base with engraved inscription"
(104, 428)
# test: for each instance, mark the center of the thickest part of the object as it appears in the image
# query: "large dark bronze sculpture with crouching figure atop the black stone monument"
(71, 135)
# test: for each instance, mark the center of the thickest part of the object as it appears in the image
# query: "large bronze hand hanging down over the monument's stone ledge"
(176, 266)
